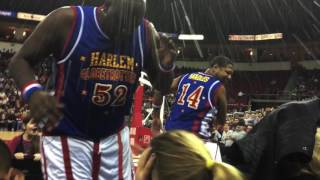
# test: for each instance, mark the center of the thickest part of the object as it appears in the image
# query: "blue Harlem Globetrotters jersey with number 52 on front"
(96, 79)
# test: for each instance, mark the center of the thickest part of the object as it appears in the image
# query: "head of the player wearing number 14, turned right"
(221, 66)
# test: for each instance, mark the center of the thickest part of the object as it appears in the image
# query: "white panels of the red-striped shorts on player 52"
(81, 156)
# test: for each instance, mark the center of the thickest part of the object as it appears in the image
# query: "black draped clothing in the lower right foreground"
(285, 135)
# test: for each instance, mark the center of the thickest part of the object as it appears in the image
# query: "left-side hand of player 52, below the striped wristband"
(45, 110)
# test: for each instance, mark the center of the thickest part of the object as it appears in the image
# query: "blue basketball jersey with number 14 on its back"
(195, 107)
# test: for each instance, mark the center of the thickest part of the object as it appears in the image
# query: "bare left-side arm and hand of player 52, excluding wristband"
(45, 40)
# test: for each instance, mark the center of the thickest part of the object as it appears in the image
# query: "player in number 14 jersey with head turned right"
(201, 99)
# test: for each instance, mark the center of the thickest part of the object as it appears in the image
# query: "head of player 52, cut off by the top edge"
(124, 16)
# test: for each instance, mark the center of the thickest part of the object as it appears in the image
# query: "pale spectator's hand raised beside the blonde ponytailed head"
(145, 165)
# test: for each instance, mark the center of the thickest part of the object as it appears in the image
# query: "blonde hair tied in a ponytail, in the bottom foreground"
(181, 155)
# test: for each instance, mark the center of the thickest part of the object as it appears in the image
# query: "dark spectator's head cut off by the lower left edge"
(5, 159)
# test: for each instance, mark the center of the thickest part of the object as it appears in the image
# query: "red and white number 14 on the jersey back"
(193, 99)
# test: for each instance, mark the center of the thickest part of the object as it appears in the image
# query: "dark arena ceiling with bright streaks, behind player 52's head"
(213, 18)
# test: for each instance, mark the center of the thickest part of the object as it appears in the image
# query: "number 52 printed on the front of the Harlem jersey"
(102, 95)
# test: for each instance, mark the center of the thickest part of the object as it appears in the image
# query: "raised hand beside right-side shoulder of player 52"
(167, 51)
